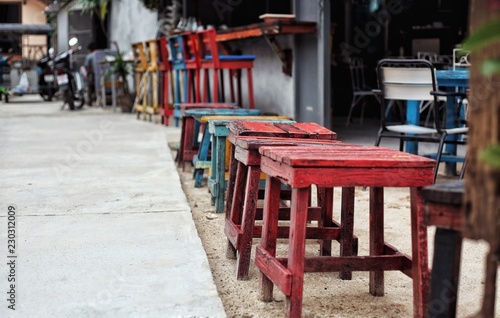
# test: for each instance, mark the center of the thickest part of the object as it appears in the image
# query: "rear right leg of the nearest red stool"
(377, 238)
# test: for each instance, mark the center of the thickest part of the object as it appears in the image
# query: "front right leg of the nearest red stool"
(420, 265)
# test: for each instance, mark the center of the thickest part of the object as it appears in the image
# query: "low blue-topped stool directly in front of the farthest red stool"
(201, 160)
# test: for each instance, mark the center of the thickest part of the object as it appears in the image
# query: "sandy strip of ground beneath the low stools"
(325, 295)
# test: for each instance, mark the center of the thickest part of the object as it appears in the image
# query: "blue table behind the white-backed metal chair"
(449, 80)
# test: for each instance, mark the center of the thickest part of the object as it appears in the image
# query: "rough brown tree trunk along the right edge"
(482, 183)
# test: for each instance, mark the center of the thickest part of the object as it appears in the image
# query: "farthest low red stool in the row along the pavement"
(188, 146)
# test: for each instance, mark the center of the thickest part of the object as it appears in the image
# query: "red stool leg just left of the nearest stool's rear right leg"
(347, 228)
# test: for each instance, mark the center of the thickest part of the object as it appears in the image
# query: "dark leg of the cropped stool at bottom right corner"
(445, 273)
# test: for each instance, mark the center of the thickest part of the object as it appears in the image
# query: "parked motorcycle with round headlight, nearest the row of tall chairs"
(69, 80)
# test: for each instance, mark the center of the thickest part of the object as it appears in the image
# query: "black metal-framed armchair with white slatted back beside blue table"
(400, 79)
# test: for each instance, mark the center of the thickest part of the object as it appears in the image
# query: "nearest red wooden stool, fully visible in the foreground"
(300, 167)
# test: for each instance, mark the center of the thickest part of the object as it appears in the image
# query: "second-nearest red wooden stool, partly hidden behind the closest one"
(240, 225)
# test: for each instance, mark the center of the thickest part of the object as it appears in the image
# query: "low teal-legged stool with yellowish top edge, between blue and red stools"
(217, 127)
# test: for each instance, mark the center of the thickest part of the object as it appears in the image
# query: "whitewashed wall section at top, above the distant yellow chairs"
(130, 22)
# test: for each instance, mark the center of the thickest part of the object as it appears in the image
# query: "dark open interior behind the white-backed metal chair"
(375, 29)
